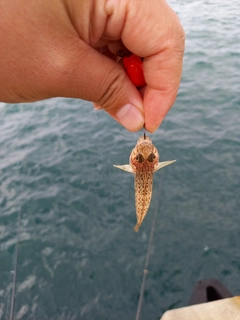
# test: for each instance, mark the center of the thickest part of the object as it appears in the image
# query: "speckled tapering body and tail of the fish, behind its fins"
(143, 194)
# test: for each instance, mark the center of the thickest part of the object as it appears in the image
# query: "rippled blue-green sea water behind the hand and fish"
(79, 257)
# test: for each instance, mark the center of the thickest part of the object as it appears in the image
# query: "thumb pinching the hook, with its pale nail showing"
(99, 79)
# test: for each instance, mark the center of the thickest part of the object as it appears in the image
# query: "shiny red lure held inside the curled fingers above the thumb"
(133, 65)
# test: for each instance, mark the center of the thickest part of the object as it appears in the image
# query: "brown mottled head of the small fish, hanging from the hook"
(144, 156)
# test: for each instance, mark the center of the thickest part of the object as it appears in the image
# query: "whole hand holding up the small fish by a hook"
(57, 49)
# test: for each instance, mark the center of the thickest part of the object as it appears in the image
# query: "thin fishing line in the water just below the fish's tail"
(145, 271)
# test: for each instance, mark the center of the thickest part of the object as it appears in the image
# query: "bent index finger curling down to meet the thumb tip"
(153, 31)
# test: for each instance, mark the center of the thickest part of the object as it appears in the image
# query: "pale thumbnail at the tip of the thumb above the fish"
(130, 117)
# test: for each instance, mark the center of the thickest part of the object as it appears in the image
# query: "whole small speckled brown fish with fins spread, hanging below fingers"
(143, 162)
